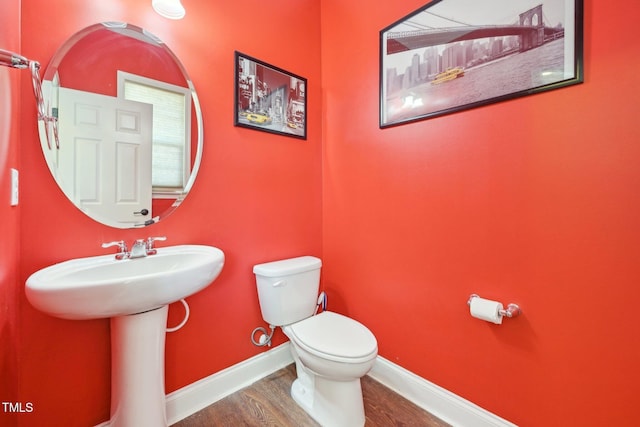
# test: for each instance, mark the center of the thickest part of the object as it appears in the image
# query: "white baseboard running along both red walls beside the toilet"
(443, 404)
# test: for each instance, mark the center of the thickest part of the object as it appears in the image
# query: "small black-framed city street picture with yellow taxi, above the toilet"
(268, 98)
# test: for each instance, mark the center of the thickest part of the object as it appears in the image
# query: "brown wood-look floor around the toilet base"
(268, 403)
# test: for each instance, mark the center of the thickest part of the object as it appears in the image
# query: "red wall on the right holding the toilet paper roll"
(534, 201)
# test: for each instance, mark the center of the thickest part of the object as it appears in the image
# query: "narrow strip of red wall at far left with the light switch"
(9, 216)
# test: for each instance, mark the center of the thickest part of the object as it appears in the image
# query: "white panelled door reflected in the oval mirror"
(104, 163)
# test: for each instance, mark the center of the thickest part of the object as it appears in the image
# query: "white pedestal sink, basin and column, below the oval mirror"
(135, 294)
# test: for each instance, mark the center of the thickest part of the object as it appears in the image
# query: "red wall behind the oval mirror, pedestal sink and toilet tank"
(257, 197)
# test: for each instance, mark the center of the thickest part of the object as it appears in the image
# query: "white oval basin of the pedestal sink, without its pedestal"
(102, 287)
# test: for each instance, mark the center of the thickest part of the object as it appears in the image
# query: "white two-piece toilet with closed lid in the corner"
(331, 351)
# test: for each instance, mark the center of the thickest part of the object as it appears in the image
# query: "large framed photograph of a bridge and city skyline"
(452, 55)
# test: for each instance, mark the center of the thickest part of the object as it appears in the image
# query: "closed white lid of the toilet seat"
(336, 335)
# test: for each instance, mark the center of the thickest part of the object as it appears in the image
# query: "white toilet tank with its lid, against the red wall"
(288, 289)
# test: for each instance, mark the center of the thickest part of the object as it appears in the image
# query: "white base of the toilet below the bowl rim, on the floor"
(330, 403)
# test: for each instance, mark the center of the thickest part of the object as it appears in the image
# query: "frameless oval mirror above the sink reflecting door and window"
(123, 130)
